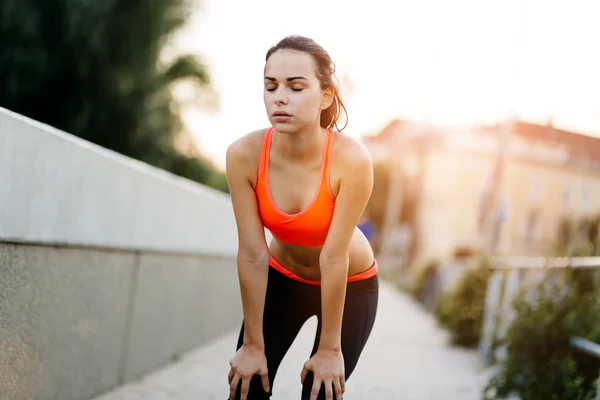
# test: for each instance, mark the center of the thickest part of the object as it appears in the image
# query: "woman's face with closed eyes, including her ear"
(293, 95)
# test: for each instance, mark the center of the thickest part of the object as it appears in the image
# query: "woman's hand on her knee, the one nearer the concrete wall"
(247, 362)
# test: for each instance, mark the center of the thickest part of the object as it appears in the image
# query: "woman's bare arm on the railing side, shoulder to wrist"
(356, 185)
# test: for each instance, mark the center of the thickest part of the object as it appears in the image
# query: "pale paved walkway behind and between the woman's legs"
(406, 358)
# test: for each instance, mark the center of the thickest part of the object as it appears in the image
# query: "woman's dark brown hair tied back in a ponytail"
(325, 74)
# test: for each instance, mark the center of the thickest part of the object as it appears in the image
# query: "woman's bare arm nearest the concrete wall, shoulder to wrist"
(253, 252)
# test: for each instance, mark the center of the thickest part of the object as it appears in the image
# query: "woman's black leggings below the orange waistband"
(289, 304)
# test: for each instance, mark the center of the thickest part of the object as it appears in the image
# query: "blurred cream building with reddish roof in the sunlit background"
(441, 176)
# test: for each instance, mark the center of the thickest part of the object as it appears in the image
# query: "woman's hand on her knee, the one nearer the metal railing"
(328, 369)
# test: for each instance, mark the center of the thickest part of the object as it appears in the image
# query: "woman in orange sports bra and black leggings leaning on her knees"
(308, 185)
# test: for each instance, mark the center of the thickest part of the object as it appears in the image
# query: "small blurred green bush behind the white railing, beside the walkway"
(460, 310)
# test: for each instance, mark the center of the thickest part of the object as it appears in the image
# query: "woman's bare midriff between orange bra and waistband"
(304, 261)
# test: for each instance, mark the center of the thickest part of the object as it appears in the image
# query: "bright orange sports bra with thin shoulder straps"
(308, 227)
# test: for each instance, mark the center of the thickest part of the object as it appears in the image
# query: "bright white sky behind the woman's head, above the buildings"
(449, 62)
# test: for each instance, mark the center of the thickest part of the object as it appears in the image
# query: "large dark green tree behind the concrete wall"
(93, 68)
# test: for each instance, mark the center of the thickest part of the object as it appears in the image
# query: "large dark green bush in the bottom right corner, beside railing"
(540, 361)
